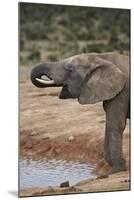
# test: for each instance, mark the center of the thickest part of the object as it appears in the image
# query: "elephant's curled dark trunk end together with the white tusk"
(38, 72)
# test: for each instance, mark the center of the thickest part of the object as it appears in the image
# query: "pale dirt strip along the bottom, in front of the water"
(115, 182)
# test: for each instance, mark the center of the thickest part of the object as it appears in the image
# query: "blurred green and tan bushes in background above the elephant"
(62, 31)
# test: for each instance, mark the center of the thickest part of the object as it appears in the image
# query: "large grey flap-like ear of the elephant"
(103, 81)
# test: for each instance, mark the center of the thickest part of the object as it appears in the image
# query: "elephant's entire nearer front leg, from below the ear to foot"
(115, 125)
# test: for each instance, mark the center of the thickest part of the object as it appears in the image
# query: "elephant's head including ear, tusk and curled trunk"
(87, 77)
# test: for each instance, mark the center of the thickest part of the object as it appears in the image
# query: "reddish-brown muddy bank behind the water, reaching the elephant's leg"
(83, 148)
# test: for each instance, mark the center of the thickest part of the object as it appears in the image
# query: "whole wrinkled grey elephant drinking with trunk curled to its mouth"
(92, 78)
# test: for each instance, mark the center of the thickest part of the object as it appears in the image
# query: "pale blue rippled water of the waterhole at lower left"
(44, 173)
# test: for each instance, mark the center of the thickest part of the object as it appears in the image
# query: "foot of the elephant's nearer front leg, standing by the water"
(119, 166)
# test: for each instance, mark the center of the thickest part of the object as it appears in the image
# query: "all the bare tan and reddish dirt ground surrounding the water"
(64, 129)
